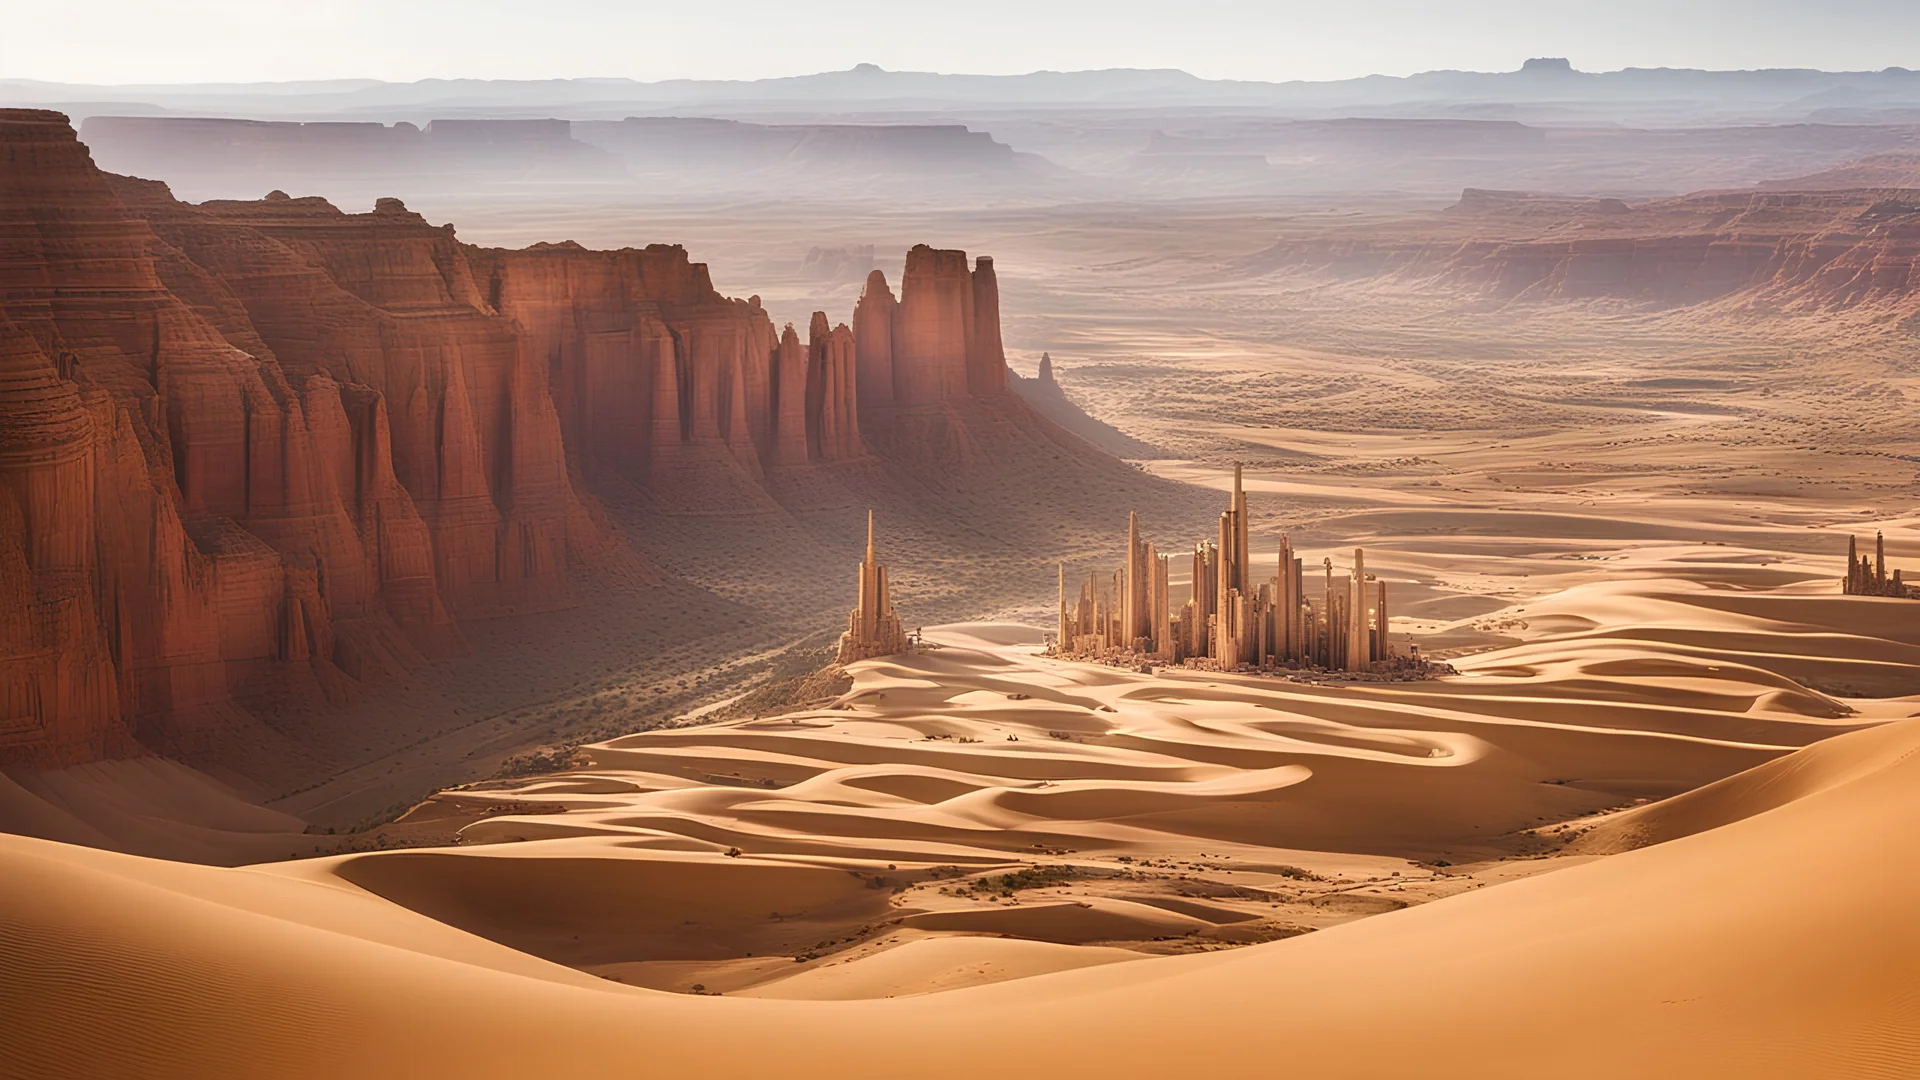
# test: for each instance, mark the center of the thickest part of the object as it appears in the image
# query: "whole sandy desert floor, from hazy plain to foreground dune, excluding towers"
(1673, 791)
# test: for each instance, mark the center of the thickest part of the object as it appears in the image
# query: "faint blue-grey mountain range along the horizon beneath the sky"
(1552, 86)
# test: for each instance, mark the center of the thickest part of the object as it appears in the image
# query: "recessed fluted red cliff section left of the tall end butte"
(656, 374)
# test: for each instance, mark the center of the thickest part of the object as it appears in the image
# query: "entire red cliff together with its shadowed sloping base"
(285, 478)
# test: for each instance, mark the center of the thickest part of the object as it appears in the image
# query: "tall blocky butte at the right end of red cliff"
(944, 339)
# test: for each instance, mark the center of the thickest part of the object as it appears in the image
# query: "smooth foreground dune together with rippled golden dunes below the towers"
(980, 852)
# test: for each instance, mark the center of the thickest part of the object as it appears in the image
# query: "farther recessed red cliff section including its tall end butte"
(619, 330)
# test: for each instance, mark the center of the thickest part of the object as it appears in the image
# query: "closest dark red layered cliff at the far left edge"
(135, 433)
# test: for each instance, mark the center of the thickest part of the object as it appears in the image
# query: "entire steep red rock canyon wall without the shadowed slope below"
(270, 449)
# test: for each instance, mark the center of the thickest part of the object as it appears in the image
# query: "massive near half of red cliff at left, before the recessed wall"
(249, 449)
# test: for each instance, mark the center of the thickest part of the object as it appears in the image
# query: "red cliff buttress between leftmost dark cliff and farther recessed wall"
(387, 303)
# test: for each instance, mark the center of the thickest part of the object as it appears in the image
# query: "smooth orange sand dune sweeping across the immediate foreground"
(233, 973)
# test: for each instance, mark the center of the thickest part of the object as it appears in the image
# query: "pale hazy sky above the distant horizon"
(224, 41)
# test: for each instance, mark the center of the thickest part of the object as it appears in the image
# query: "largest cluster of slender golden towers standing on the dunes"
(1234, 618)
